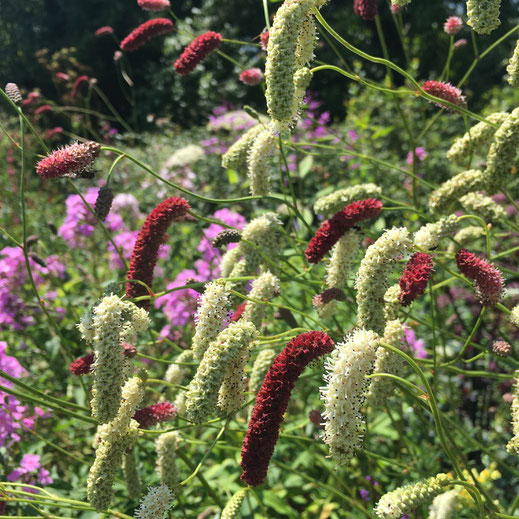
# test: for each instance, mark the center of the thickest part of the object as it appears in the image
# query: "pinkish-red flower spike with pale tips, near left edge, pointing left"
(70, 161)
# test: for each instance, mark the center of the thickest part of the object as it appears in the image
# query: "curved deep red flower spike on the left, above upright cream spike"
(151, 236)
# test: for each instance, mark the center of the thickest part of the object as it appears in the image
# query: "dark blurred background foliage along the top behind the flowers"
(34, 34)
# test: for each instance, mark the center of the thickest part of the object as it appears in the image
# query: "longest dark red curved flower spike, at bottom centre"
(272, 402)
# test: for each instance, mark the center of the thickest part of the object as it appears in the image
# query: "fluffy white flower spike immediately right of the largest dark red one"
(345, 393)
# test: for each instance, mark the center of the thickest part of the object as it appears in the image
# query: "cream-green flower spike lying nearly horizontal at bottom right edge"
(408, 498)
